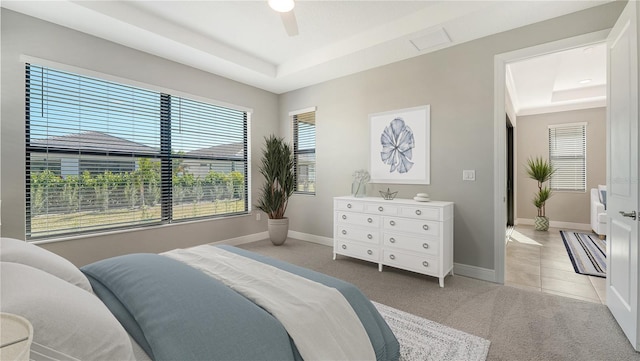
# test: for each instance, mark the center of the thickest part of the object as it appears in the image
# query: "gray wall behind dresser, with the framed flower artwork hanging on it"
(458, 84)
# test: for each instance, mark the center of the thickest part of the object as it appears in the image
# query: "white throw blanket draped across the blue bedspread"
(318, 318)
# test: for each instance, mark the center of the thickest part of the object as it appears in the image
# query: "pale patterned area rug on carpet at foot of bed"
(422, 339)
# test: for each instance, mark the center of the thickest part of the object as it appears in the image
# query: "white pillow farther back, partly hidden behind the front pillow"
(17, 251)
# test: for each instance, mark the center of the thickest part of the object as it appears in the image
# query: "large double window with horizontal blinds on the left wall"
(102, 155)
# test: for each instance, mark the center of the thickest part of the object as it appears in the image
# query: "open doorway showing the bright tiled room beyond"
(545, 93)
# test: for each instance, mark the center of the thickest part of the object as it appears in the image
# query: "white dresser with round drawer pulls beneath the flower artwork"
(402, 233)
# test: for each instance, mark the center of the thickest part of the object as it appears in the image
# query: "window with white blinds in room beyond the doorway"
(567, 153)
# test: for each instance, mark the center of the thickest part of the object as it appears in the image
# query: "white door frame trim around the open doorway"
(499, 134)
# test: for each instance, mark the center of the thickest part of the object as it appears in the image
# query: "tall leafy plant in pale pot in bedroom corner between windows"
(276, 166)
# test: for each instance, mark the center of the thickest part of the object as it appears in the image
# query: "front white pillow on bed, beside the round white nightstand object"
(65, 318)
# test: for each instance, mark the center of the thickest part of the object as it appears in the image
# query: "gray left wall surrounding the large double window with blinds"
(26, 35)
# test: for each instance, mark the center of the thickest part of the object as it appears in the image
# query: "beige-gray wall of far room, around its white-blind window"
(533, 140)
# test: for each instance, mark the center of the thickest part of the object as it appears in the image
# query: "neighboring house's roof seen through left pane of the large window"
(94, 141)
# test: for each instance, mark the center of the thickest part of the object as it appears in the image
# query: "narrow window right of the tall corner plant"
(304, 149)
